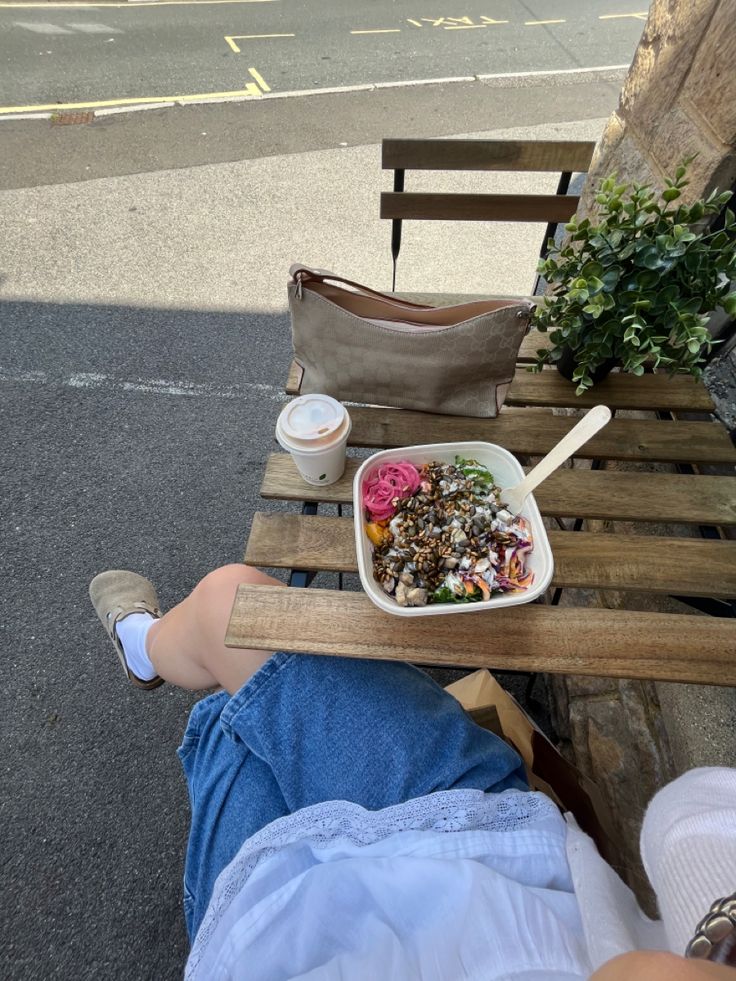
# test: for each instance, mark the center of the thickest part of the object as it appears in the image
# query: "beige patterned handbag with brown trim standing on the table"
(362, 346)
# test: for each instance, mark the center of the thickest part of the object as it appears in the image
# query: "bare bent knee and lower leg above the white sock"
(186, 646)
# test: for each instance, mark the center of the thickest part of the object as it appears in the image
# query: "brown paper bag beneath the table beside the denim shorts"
(547, 769)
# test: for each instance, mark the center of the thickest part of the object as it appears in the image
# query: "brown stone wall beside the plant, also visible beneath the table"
(679, 99)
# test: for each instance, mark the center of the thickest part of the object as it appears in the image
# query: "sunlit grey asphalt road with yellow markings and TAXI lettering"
(55, 55)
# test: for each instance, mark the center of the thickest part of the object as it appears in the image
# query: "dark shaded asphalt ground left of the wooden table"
(132, 438)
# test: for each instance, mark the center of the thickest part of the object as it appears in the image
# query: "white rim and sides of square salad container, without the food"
(506, 471)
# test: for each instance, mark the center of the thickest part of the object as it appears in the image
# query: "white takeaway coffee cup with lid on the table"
(315, 430)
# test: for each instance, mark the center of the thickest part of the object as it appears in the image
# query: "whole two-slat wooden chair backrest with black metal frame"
(565, 157)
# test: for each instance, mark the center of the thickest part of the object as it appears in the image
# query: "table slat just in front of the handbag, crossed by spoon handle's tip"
(533, 432)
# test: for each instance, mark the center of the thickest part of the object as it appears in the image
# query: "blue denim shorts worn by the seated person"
(307, 729)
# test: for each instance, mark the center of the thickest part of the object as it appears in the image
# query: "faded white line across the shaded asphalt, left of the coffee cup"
(149, 386)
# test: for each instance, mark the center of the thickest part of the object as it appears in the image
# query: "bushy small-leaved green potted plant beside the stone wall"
(635, 283)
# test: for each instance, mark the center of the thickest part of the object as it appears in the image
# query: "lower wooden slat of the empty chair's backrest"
(422, 206)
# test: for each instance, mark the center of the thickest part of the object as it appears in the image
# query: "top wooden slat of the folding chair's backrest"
(527, 155)
